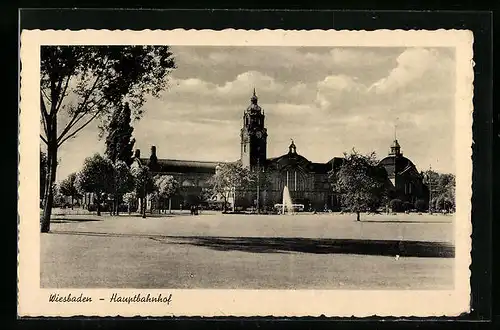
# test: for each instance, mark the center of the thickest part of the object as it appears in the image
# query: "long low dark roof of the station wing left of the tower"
(181, 166)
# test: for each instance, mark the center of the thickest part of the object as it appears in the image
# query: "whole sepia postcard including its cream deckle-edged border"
(171, 167)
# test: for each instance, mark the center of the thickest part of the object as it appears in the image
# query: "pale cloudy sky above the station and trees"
(328, 100)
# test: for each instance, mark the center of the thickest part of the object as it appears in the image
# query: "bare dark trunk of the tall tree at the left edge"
(50, 179)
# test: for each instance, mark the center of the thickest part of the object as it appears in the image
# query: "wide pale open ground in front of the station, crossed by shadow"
(225, 251)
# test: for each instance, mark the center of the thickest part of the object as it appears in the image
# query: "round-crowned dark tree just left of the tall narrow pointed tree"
(96, 177)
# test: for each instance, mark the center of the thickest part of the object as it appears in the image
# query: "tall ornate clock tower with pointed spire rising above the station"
(253, 135)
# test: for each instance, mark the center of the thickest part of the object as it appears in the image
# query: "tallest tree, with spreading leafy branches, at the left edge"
(81, 83)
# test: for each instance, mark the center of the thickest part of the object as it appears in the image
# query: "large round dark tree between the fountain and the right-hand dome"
(360, 183)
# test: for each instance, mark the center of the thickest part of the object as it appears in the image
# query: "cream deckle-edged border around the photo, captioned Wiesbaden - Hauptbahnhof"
(33, 301)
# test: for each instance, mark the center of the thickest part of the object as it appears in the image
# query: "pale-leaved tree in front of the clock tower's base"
(228, 179)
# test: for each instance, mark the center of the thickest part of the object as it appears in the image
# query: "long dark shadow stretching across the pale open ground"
(298, 244)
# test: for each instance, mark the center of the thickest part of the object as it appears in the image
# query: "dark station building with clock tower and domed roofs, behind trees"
(309, 182)
